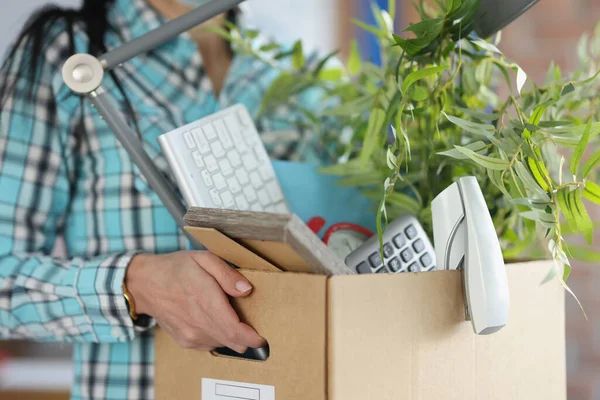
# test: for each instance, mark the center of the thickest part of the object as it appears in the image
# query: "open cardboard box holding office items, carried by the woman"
(380, 337)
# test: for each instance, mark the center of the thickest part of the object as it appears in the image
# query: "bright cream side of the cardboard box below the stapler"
(405, 337)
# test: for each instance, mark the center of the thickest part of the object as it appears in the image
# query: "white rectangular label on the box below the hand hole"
(213, 389)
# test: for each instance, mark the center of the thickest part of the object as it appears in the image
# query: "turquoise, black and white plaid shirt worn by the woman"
(89, 191)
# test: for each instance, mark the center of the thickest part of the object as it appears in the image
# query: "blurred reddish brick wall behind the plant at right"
(550, 31)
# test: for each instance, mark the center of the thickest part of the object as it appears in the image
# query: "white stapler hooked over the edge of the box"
(465, 239)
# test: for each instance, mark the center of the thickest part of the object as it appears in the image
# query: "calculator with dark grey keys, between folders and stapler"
(406, 248)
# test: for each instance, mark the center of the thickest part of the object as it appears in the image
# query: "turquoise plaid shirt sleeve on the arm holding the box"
(43, 297)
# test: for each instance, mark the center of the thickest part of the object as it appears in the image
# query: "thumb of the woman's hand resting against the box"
(232, 282)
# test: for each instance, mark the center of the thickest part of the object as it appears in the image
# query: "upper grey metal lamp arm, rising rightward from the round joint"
(165, 32)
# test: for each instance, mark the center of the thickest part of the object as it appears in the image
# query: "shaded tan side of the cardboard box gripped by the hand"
(287, 309)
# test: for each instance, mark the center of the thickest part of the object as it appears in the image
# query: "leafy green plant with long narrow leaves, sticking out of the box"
(403, 131)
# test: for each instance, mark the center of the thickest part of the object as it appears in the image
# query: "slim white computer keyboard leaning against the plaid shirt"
(220, 162)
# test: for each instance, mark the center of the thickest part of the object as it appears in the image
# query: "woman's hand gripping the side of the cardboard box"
(186, 292)
